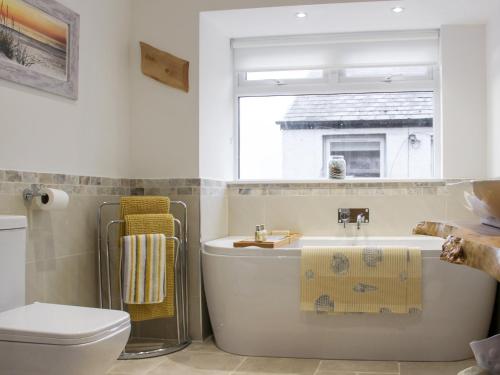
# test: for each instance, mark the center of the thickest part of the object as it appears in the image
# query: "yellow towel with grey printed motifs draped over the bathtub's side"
(361, 280)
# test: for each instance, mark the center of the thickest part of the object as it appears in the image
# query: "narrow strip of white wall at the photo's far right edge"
(493, 64)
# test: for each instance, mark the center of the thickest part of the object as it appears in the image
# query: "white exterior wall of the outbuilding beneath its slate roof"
(303, 152)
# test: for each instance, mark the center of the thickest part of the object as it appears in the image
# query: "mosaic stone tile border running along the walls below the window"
(13, 182)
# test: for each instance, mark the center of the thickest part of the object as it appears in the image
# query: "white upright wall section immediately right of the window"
(463, 98)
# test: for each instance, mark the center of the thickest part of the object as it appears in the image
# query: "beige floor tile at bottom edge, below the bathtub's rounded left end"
(218, 361)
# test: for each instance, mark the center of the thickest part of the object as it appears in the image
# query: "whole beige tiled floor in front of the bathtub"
(206, 359)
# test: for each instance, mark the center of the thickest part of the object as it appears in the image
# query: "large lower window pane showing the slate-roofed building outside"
(381, 135)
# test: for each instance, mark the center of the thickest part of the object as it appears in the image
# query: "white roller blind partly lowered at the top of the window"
(337, 50)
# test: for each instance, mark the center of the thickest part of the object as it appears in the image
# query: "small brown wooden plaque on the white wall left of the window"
(164, 67)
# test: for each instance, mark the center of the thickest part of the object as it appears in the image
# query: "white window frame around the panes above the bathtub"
(331, 83)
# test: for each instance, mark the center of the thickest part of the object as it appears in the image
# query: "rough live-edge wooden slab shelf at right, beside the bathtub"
(473, 245)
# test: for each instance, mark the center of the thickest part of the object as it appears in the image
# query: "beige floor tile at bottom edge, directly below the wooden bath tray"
(278, 366)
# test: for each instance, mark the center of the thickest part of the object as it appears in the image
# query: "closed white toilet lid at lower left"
(43, 323)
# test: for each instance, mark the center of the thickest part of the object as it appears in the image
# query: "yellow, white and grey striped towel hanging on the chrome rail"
(144, 268)
